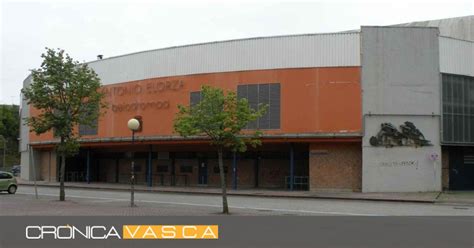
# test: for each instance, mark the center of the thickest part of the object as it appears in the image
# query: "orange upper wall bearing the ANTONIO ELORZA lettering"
(313, 100)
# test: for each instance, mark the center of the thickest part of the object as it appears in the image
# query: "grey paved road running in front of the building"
(107, 202)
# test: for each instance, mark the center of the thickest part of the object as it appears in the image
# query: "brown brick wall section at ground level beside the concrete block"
(335, 167)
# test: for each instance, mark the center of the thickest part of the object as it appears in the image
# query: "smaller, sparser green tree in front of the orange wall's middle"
(220, 117)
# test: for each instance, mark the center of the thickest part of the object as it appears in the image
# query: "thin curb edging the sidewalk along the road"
(246, 194)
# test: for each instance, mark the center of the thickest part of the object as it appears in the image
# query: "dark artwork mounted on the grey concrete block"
(390, 136)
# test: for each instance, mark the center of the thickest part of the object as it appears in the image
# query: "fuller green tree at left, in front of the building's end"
(66, 94)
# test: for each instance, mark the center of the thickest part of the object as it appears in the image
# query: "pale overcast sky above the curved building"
(87, 28)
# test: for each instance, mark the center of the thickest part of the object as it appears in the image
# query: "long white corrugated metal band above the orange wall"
(299, 51)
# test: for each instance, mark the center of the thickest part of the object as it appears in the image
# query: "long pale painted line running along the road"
(214, 206)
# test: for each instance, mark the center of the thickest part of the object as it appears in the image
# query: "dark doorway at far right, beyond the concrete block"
(461, 168)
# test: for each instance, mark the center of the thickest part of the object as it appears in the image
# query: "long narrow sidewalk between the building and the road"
(422, 197)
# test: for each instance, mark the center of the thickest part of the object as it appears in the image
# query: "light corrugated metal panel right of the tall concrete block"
(456, 56)
